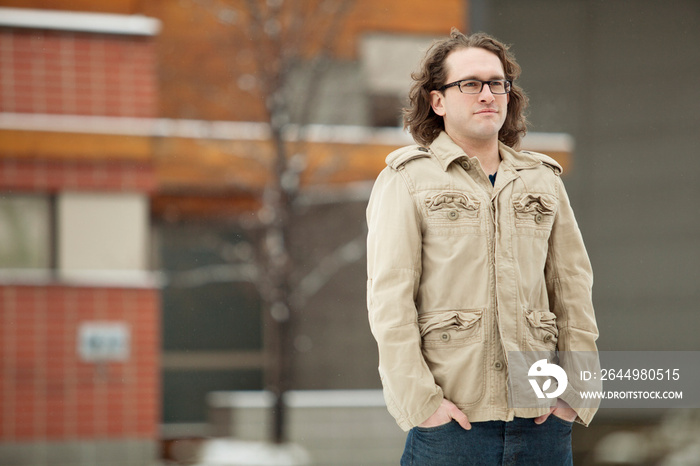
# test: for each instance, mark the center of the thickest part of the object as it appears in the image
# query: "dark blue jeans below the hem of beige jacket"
(518, 442)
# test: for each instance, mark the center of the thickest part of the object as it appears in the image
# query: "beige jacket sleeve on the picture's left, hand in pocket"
(394, 244)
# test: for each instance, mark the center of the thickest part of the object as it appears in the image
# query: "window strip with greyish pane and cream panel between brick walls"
(80, 236)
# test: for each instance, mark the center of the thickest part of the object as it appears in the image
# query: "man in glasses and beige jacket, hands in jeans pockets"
(473, 252)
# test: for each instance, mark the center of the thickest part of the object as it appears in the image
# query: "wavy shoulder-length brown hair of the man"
(420, 119)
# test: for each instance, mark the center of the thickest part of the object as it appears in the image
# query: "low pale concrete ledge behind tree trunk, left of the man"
(336, 427)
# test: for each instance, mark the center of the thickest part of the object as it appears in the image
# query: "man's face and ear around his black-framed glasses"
(471, 117)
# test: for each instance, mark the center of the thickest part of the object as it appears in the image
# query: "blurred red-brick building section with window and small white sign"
(79, 309)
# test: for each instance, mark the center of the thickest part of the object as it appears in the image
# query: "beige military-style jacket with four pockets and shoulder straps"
(460, 273)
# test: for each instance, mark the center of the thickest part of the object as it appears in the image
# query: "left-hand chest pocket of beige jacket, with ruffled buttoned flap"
(452, 213)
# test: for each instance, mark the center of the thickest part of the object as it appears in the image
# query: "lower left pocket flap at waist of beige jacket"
(450, 328)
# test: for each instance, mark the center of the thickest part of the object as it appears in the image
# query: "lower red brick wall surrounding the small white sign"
(47, 393)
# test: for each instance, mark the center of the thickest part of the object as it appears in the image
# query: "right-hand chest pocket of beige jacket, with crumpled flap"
(534, 213)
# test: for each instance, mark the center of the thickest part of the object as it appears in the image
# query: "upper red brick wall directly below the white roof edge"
(76, 73)
